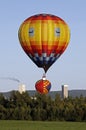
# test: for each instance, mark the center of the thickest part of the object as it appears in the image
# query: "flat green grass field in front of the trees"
(38, 125)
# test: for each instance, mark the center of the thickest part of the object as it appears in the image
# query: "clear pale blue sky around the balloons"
(69, 69)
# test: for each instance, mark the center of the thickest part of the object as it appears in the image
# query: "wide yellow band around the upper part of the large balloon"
(44, 34)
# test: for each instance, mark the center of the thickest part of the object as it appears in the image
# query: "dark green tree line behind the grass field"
(42, 107)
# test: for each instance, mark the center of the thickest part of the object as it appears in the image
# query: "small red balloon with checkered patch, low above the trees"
(43, 86)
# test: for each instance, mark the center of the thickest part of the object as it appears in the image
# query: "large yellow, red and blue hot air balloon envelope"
(44, 38)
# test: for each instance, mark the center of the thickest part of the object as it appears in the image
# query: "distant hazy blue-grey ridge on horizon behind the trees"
(71, 93)
